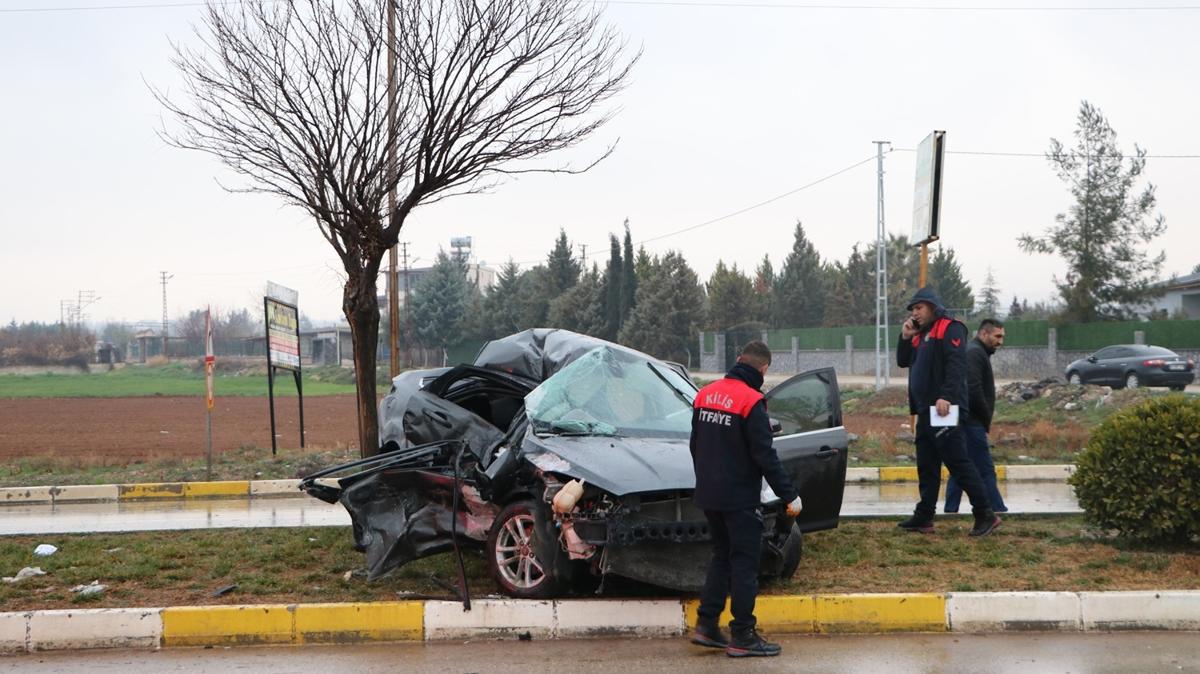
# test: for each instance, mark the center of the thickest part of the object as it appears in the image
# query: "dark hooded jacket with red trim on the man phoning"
(937, 360)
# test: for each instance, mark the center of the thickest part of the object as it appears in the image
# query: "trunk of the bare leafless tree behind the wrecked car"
(362, 309)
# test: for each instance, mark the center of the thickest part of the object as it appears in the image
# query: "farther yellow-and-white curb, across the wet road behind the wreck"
(275, 489)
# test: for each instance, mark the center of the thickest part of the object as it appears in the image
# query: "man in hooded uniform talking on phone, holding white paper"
(933, 347)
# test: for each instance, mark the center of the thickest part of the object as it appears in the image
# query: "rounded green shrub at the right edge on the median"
(1141, 472)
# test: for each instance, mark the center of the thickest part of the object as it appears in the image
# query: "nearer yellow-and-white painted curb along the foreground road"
(511, 619)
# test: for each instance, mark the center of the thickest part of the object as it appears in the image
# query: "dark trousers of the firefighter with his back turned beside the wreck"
(734, 570)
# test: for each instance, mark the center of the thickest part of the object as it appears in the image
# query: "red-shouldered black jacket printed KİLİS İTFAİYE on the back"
(731, 444)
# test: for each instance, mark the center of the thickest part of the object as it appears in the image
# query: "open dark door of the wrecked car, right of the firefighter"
(813, 444)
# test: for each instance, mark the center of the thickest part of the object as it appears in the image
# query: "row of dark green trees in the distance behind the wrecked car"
(657, 304)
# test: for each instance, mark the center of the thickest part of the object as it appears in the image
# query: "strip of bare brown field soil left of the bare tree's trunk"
(100, 430)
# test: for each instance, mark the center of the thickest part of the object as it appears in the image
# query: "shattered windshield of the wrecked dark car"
(613, 393)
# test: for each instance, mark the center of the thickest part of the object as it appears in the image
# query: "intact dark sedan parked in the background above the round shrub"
(1129, 366)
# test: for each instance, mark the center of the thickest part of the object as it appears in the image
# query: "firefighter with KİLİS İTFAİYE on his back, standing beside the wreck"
(733, 452)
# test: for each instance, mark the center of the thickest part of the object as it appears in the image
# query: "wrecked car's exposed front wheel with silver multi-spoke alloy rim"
(517, 555)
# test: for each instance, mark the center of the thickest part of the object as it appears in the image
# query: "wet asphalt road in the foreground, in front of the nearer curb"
(901, 654)
